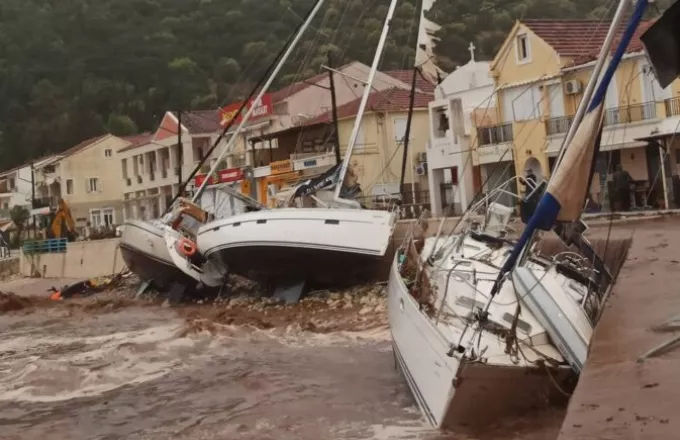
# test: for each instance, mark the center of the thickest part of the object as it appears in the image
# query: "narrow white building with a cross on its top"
(462, 94)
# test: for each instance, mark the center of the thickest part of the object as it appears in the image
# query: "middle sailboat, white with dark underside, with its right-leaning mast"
(294, 245)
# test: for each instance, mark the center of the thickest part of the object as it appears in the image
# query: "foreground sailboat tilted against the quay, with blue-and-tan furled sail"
(484, 327)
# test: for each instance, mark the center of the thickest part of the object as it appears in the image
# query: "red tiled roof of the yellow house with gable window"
(581, 40)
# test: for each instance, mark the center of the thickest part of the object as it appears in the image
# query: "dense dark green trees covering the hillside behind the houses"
(71, 69)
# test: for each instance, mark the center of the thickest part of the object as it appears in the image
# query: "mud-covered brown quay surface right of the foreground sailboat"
(618, 398)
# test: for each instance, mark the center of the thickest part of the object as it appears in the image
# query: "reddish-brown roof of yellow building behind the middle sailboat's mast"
(390, 100)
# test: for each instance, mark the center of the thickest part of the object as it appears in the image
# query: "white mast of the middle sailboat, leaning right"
(362, 108)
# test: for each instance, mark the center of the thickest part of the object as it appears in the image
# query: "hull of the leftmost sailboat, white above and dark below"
(144, 251)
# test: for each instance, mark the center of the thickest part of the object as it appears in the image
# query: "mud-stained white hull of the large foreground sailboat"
(454, 395)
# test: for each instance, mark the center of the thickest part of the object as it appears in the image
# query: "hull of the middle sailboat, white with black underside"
(298, 243)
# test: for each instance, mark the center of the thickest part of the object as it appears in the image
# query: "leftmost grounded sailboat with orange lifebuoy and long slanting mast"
(143, 243)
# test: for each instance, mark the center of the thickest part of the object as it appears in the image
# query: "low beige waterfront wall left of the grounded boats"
(83, 259)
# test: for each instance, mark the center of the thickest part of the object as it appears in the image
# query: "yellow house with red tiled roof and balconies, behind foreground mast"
(540, 73)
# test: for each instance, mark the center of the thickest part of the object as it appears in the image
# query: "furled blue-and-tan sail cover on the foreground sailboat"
(565, 196)
